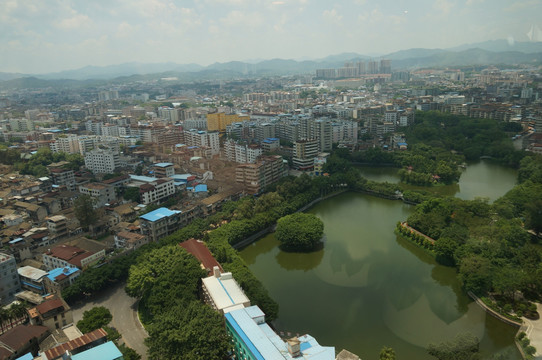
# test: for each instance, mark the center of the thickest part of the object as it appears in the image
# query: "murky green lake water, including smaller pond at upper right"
(369, 288)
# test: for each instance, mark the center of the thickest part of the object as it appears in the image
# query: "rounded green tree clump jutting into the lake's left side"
(299, 232)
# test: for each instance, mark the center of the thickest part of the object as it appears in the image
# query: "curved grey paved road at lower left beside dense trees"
(124, 311)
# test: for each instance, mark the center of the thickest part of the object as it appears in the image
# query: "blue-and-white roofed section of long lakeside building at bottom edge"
(253, 339)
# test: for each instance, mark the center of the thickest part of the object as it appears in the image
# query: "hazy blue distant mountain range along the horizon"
(485, 53)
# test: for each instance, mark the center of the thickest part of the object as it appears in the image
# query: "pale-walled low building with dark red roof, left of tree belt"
(70, 256)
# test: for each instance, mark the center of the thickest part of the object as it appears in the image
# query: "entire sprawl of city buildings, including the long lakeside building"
(184, 150)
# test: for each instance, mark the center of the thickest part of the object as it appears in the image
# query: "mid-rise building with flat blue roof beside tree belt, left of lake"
(160, 222)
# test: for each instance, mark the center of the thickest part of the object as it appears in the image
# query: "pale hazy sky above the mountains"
(52, 35)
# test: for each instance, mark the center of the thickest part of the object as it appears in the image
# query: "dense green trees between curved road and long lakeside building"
(180, 326)
